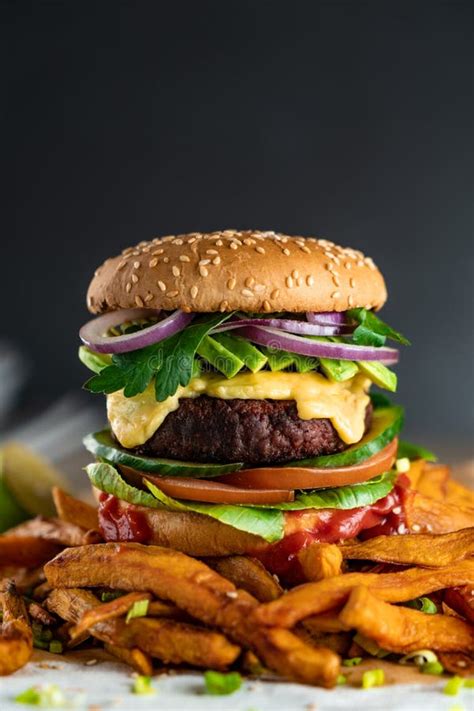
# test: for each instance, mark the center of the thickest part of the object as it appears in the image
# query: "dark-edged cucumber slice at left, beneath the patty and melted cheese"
(103, 445)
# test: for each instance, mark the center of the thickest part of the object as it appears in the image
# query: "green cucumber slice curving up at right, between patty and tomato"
(386, 424)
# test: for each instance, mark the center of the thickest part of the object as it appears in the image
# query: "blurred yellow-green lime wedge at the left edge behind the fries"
(29, 479)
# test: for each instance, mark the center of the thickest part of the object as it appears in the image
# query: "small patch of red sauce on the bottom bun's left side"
(119, 522)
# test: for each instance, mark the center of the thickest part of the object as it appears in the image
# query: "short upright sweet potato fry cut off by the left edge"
(16, 638)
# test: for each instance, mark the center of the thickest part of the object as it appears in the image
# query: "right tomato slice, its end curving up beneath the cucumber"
(311, 478)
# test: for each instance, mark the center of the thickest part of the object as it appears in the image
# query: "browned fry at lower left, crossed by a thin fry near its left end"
(170, 641)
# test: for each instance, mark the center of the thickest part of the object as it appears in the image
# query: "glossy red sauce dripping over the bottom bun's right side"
(385, 517)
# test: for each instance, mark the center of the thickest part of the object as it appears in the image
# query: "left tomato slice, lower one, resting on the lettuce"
(216, 492)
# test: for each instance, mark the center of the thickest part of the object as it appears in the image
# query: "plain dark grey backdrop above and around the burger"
(354, 121)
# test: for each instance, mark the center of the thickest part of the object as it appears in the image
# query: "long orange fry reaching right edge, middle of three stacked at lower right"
(315, 598)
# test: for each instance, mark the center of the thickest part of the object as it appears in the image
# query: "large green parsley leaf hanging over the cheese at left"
(170, 361)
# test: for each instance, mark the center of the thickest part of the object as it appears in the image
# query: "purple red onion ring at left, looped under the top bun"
(93, 332)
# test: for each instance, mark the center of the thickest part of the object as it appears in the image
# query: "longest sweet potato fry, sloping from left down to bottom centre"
(198, 590)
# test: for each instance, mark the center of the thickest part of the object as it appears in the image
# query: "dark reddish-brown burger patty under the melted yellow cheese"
(208, 429)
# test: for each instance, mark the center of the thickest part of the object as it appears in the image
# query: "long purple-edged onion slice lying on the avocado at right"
(295, 344)
